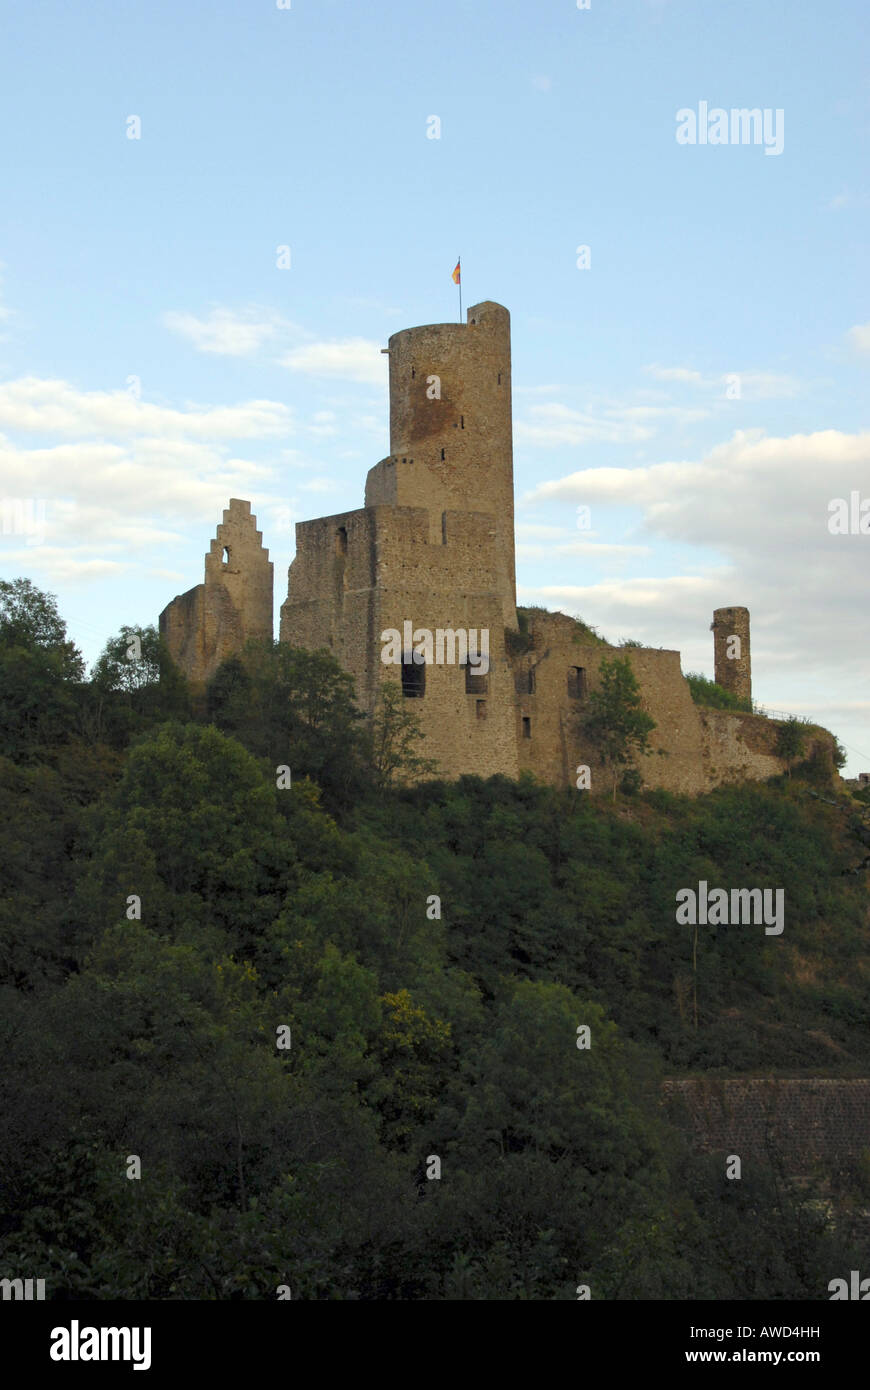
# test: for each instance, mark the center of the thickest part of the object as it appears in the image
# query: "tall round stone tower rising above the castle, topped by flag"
(451, 426)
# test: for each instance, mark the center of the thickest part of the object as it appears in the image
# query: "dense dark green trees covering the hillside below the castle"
(280, 1015)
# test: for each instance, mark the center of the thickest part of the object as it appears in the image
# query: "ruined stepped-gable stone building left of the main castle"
(213, 621)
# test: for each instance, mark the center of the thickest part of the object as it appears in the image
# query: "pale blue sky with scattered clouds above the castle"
(215, 215)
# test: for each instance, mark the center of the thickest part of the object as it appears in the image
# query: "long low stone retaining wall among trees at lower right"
(807, 1122)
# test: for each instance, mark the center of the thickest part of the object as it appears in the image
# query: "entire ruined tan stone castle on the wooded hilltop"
(433, 553)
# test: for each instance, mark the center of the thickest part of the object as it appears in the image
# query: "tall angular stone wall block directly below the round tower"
(362, 573)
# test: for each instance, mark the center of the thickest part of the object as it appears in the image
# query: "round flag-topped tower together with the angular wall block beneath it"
(432, 548)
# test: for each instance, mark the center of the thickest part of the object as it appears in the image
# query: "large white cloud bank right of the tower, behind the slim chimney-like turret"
(757, 509)
